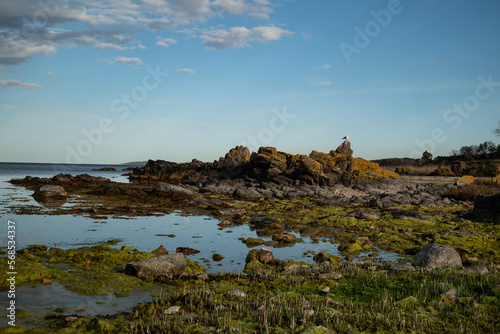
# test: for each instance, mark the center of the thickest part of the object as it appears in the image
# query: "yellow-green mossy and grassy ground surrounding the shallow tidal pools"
(281, 296)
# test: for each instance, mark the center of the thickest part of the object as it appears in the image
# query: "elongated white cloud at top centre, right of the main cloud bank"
(237, 37)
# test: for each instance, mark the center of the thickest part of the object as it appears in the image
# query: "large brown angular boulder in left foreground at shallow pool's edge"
(165, 266)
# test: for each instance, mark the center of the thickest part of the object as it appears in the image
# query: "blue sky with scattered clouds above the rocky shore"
(125, 80)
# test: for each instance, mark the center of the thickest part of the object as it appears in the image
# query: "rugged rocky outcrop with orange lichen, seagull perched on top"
(269, 165)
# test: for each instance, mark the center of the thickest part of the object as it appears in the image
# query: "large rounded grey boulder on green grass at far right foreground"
(438, 256)
